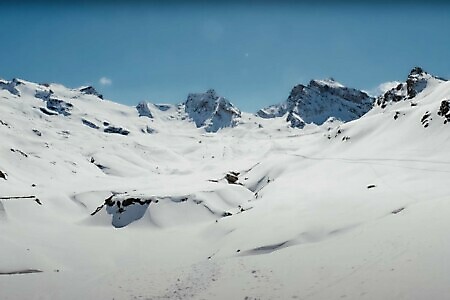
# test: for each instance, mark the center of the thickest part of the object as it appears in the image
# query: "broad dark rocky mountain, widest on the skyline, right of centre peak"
(319, 101)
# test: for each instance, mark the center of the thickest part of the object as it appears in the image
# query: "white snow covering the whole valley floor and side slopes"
(357, 210)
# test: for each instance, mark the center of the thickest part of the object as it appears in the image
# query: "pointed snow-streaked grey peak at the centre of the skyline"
(210, 111)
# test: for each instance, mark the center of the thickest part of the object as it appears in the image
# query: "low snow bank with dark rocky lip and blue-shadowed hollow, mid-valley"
(174, 210)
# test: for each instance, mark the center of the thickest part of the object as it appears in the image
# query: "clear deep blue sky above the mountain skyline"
(252, 54)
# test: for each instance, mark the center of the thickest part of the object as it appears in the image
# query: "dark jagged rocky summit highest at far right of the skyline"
(416, 82)
